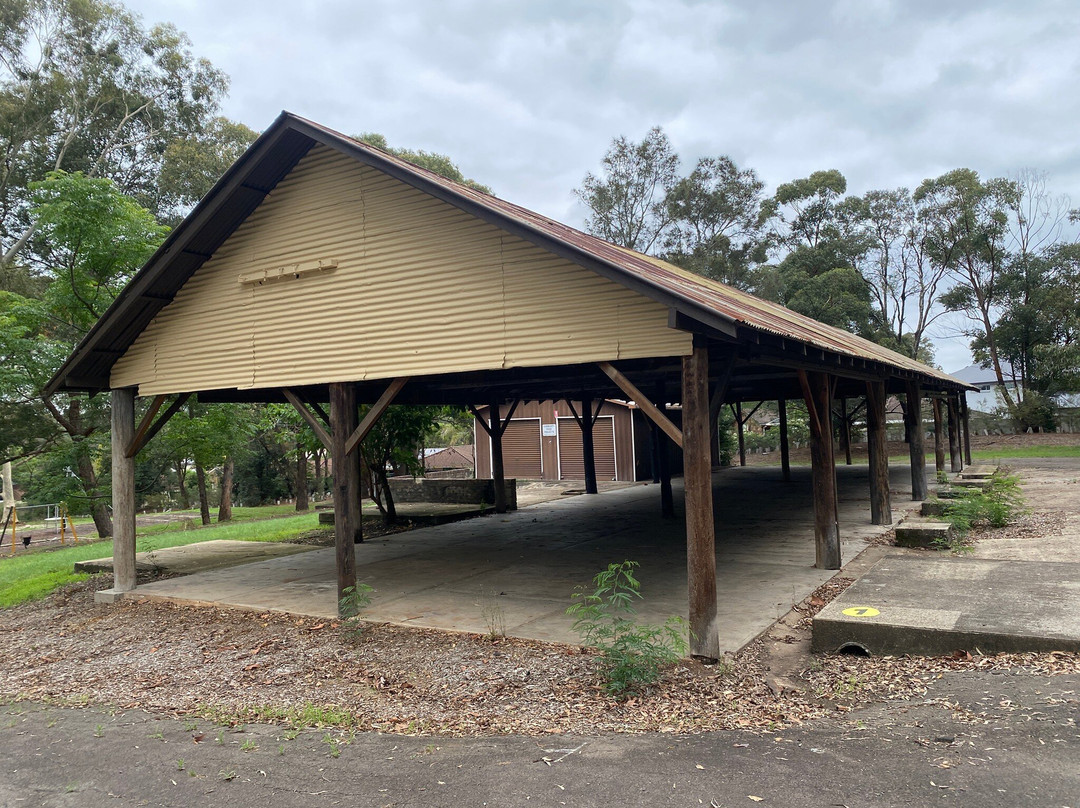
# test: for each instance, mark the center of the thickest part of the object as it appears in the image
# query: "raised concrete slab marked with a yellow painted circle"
(942, 604)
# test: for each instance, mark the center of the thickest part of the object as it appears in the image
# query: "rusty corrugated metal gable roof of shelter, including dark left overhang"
(290, 138)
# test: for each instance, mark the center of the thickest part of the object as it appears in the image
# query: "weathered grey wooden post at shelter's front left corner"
(124, 491)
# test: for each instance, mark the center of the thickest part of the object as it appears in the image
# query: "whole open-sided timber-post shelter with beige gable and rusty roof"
(321, 270)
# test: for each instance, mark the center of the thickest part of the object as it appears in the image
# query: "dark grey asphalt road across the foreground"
(978, 739)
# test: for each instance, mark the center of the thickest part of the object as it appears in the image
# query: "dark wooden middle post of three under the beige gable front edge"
(347, 503)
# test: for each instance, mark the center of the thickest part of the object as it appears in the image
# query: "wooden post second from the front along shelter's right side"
(817, 390)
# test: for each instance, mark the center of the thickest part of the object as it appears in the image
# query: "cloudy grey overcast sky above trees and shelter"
(526, 97)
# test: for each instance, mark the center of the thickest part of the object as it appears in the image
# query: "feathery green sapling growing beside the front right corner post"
(633, 655)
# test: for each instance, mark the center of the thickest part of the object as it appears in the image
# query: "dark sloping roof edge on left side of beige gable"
(142, 285)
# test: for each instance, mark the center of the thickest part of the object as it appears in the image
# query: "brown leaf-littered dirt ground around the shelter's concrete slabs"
(241, 667)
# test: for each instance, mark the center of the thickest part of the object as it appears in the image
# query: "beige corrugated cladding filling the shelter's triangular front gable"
(421, 288)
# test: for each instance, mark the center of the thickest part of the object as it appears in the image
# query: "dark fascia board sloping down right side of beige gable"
(370, 157)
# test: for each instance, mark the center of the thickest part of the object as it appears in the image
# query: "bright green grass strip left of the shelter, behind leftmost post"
(35, 575)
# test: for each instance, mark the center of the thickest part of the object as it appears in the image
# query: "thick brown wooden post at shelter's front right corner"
(700, 524)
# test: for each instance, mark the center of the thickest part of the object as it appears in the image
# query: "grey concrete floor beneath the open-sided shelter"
(517, 572)
